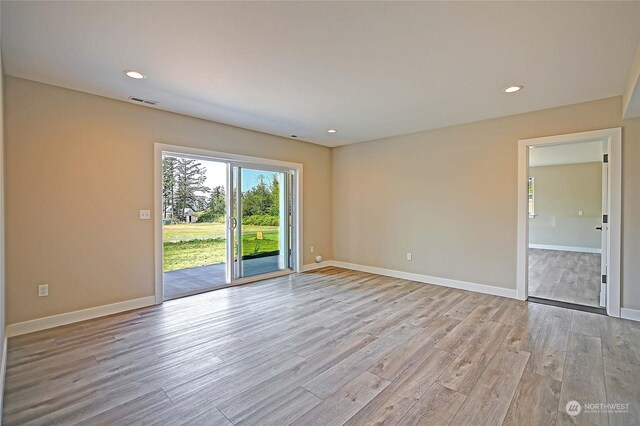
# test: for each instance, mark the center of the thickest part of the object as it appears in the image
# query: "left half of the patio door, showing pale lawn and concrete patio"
(193, 225)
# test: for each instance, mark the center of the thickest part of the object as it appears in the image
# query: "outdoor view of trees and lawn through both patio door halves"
(194, 213)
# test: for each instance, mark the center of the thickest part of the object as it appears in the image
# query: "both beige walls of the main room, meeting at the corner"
(79, 167)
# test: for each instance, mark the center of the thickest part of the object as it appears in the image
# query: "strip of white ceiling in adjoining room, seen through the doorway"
(571, 153)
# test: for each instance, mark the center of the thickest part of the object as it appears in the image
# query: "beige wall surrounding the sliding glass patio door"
(78, 169)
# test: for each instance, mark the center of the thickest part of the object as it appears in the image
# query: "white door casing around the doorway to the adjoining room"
(613, 137)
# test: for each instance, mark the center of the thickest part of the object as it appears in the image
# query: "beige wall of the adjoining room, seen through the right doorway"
(561, 191)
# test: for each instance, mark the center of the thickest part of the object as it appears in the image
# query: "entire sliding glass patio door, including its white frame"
(223, 219)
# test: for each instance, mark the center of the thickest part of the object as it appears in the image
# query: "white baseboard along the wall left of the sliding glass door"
(77, 316)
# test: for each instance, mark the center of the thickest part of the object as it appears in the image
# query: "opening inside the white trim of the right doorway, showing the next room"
(567, 205)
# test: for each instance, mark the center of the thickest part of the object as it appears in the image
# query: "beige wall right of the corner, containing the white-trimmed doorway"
(449, 196)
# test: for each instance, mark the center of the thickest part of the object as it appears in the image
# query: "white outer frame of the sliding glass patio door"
(204, 154)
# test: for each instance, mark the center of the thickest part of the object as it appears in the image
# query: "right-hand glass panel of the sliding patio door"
(260, 220)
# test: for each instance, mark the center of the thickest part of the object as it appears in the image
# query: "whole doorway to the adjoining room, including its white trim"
(569, 219)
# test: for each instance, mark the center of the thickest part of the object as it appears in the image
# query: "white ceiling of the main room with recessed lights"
(368, 69)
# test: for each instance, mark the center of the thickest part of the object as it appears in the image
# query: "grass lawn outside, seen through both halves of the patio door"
(195, 244)
